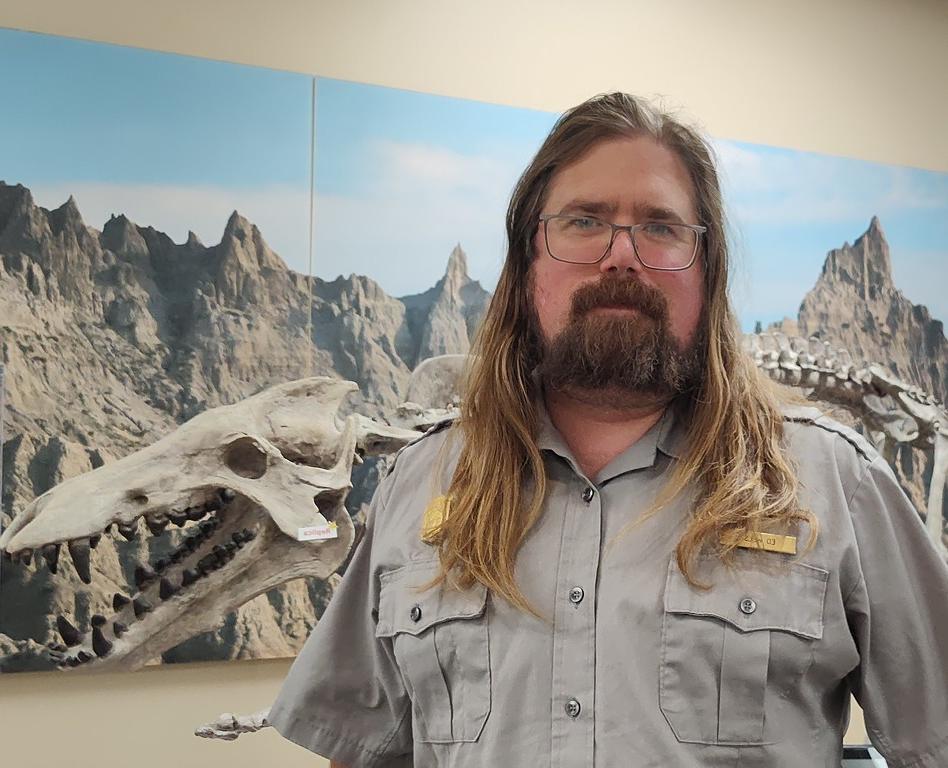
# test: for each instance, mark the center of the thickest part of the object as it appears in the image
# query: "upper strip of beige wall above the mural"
(862, 78)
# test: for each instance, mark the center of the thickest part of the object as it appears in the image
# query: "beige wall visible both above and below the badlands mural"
(862, 78)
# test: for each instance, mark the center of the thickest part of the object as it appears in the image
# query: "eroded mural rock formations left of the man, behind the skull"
(111, 339)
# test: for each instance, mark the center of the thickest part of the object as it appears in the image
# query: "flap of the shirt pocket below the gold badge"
(405, 608)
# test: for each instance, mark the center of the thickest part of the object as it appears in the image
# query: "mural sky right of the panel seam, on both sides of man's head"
(401, 177)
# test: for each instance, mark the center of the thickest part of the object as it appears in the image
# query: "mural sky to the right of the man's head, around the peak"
(789, 208)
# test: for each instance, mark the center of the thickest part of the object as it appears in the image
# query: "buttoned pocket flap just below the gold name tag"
(789, 598)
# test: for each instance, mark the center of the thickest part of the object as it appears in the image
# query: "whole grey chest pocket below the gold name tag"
(724, 651)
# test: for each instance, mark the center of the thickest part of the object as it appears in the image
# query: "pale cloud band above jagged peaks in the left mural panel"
(281, 212)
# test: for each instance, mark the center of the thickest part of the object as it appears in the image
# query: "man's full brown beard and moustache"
(620, 360)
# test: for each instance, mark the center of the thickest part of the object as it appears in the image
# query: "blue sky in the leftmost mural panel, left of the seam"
(172, 141)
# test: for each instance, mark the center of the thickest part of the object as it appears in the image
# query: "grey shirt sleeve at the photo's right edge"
(898, 614)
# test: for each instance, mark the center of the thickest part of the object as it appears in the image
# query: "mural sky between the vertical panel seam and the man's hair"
(402, 177)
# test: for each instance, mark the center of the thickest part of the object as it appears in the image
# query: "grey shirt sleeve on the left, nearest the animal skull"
(344, 697)
